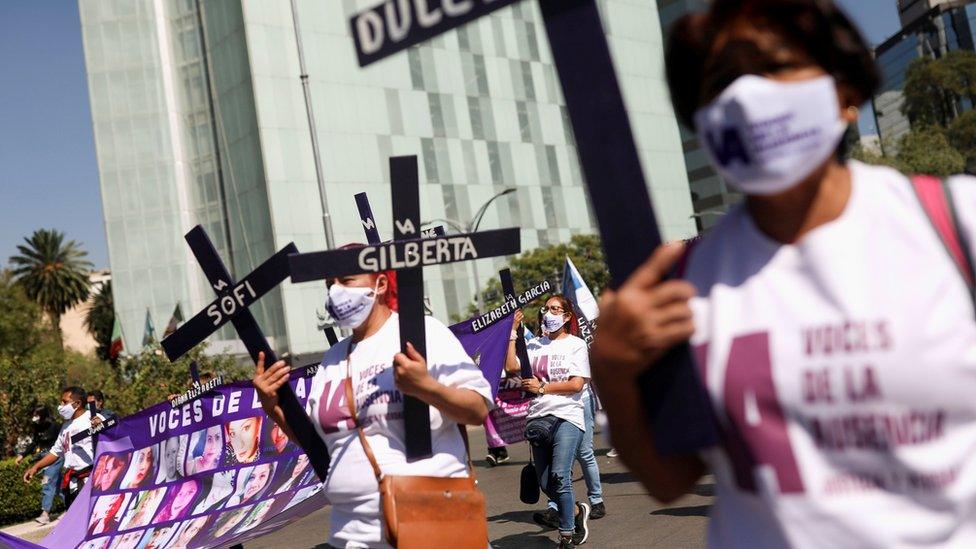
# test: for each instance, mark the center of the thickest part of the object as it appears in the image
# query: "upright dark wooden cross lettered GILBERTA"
(407, 254)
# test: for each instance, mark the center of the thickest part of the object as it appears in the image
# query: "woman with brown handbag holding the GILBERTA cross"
(448, 381)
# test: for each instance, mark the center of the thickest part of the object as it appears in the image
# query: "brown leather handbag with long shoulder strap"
(428, 511)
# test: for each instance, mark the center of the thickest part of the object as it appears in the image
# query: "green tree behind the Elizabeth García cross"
(546, 263)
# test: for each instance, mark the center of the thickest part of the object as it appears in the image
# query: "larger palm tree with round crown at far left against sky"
(54, 273)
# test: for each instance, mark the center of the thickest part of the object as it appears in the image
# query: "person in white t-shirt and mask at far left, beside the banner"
(77, 455)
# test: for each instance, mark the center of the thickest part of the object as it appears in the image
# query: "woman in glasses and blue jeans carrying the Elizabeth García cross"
(561, 370)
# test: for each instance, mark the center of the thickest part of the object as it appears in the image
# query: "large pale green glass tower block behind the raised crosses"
(200, 118)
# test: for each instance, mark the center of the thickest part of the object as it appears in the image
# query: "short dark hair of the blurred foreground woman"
(817, 27)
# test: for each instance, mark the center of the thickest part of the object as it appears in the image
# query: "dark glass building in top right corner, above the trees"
(943, 28)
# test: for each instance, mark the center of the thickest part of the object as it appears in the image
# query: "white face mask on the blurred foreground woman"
(765, 136)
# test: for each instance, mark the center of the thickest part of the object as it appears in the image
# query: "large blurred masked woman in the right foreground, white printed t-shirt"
(833, 332)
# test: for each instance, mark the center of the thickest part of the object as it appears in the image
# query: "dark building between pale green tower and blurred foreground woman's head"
(710, 196)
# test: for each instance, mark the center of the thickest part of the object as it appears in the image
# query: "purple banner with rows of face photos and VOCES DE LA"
(213, 472)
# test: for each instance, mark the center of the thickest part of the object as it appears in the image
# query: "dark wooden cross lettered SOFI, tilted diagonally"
(231, 305)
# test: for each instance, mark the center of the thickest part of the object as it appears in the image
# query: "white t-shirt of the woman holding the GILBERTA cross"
(351, 486)
